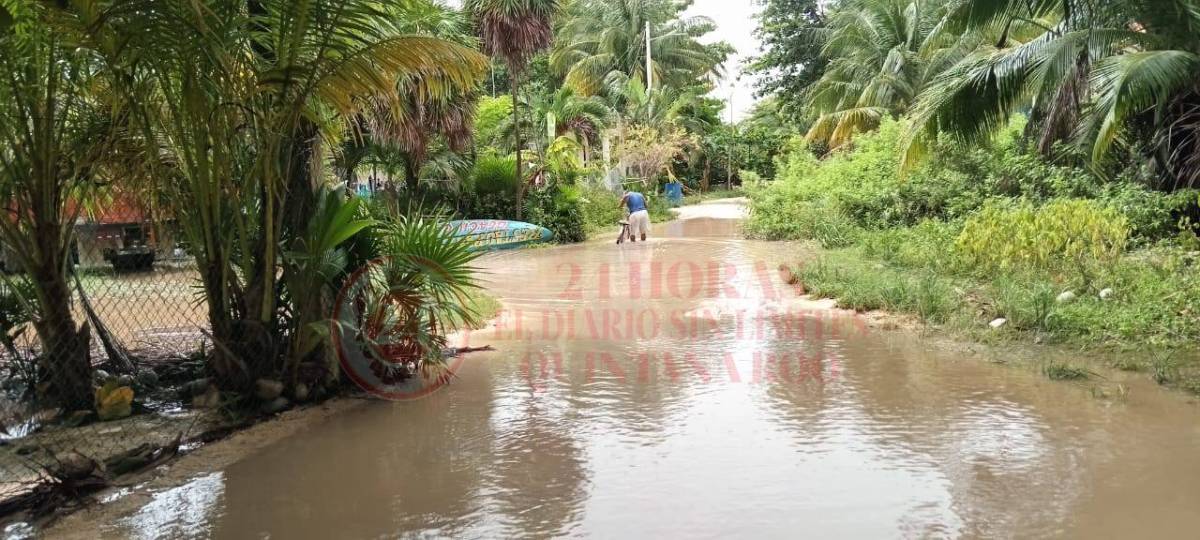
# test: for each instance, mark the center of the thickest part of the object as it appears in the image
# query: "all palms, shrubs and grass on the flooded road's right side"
(1004, 169)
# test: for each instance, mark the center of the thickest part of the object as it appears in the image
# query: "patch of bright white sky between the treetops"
(735, 25)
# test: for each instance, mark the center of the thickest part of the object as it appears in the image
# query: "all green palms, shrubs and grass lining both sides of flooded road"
(988, 157)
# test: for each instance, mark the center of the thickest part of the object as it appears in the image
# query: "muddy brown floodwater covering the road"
(680, 389)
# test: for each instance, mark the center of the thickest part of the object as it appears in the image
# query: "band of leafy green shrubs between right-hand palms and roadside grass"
(865, 184)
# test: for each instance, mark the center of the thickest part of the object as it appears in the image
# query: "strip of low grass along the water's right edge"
(1148, 317)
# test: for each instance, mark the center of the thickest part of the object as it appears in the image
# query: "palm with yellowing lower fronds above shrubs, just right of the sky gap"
(883, 53)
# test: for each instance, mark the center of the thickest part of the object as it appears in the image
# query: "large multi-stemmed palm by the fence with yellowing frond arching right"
(236, 99)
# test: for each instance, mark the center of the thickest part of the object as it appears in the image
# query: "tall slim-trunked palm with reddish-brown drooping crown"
(515, 31)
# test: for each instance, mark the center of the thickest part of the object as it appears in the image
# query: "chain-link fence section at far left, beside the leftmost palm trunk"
(133, 343)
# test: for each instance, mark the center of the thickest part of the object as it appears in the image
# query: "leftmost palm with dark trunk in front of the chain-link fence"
(56, 133)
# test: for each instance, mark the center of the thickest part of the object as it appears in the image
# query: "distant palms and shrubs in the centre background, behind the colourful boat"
(572, 95)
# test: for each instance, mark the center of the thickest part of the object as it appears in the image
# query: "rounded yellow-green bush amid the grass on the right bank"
(1073, 235)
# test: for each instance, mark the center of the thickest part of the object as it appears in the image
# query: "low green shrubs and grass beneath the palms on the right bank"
(991, 232)
